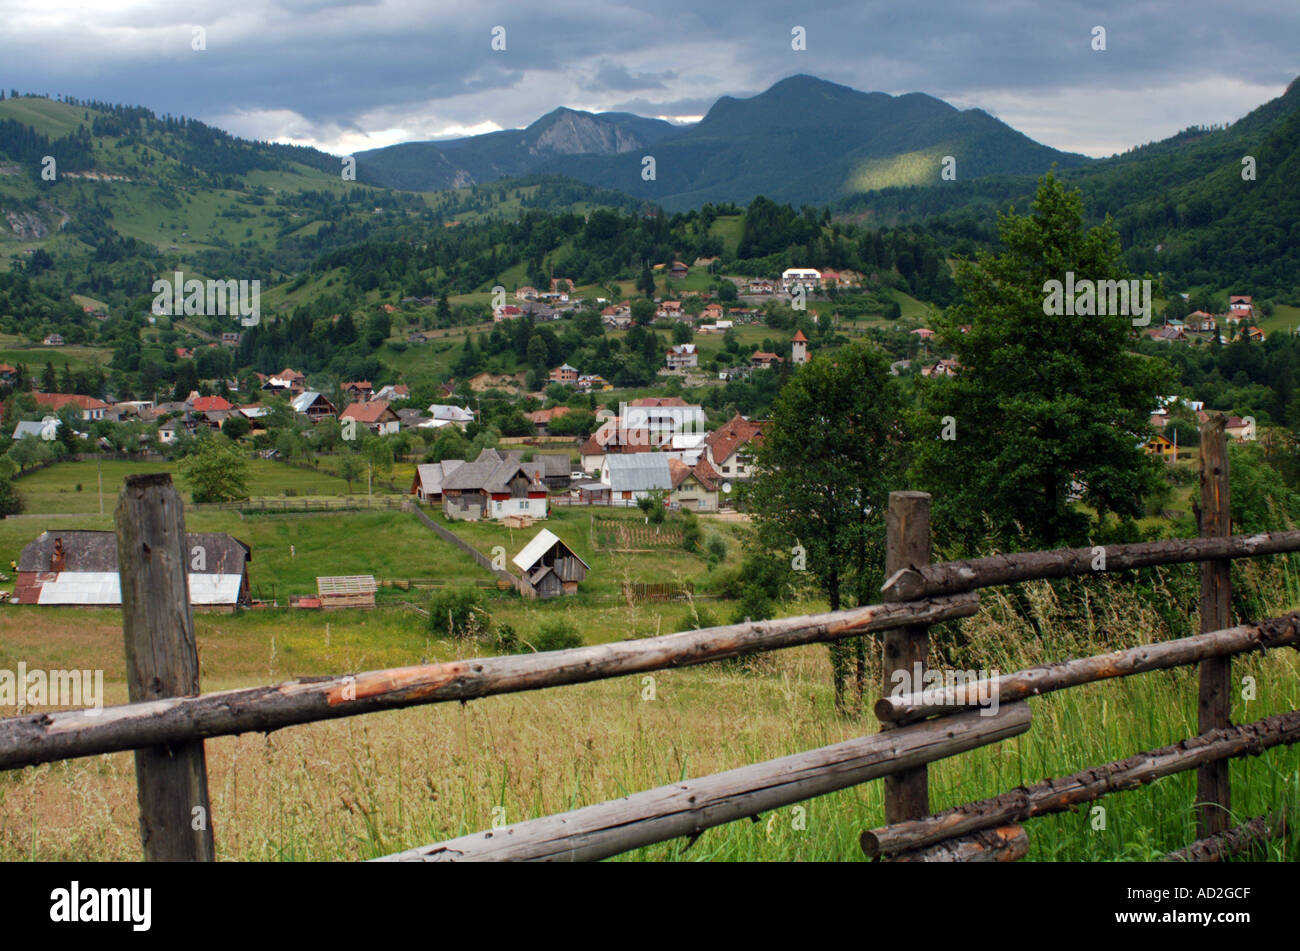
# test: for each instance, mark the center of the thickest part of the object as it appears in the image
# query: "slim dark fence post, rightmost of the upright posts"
(1215, 705)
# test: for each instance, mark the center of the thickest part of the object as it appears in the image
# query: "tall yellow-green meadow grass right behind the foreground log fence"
(367, 787)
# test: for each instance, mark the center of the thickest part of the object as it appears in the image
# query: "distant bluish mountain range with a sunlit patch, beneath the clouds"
(803, 141)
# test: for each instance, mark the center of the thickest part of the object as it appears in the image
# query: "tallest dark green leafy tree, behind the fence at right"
(1045, 410)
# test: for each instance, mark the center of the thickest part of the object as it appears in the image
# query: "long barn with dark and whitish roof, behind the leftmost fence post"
(80, 568)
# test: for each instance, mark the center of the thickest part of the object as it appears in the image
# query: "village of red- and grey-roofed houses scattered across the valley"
(647, 451)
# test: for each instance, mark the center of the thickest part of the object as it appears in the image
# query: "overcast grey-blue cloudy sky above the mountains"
(348, 76)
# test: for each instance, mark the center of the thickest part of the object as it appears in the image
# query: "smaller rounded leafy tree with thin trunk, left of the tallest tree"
(826, 467)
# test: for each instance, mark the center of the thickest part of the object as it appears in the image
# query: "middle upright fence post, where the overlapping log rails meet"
(905, 649)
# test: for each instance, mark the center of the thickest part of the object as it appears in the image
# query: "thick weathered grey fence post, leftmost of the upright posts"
(162, 661)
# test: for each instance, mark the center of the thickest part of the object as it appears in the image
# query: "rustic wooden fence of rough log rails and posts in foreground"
(167, 720)
